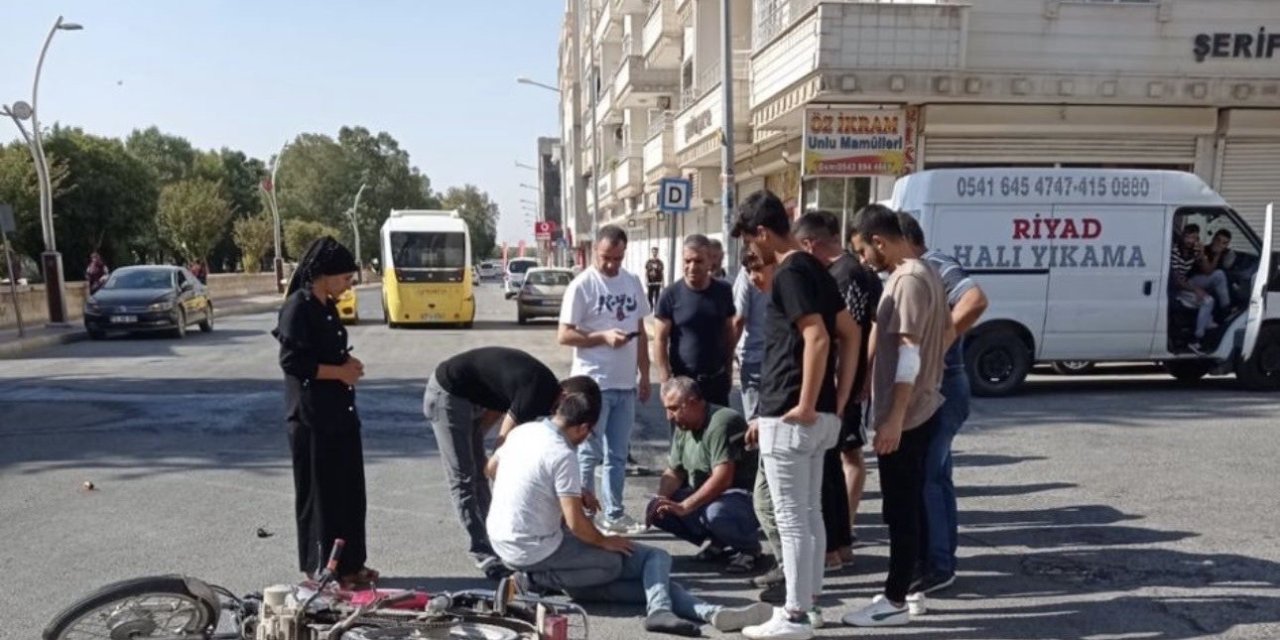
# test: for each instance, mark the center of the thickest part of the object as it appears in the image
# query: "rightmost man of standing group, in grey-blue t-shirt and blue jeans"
(968, 303)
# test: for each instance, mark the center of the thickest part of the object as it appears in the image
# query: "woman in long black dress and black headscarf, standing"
(321, 378)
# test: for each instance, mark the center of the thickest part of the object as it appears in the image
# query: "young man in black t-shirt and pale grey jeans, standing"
(801, 400)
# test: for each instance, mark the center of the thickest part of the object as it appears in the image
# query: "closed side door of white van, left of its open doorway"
(1107, 267)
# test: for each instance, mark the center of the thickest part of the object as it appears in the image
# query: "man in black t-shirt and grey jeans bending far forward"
(465, 396)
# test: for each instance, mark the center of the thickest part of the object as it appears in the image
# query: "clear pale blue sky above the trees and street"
(437, 75)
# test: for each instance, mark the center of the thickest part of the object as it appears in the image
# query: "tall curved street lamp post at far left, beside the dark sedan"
(52, 260)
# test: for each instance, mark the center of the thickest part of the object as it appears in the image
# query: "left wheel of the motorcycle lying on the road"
(139, 609)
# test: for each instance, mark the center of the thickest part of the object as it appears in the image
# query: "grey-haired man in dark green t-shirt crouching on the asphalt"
(706, 492)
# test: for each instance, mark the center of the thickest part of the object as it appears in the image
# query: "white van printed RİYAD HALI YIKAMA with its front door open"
(1077, 267)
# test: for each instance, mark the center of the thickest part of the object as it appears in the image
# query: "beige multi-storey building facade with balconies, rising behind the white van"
(1188, 85)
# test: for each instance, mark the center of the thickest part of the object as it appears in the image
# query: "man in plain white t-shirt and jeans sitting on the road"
(538, 496)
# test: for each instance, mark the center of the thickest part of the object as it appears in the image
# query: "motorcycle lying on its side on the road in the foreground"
(186, 609)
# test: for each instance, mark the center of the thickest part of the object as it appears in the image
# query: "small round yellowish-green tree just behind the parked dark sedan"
(193, 217)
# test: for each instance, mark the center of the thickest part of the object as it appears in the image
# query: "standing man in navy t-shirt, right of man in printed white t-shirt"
(694, 335)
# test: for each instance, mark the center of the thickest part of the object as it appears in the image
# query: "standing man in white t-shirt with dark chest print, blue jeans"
(602, 318)
